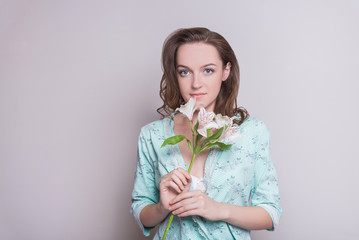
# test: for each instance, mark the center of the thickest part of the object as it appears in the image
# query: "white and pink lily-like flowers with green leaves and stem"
(209, 131)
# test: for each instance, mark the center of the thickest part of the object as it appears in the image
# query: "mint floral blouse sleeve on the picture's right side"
(264, 190)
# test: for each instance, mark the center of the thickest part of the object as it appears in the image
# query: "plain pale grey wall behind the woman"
(79, 78)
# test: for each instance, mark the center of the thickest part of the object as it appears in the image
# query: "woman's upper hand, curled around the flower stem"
(172, 184)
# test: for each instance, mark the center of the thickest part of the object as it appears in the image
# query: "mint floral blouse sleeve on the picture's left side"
(145, 191)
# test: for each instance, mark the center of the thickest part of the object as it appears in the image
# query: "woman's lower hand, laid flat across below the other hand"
(195, 203)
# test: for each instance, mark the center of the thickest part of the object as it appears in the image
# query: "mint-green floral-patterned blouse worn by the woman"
(243, 175)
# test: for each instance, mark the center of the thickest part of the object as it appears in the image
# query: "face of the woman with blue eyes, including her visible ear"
(200, 73)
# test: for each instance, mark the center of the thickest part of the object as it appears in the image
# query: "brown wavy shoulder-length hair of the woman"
(226, 102)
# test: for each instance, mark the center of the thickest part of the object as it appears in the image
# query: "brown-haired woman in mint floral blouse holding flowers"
(229, 192)
